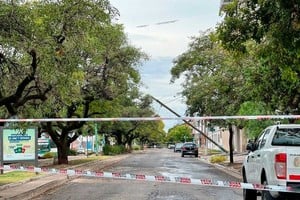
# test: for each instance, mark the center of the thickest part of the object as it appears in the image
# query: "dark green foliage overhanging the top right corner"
(267, 20)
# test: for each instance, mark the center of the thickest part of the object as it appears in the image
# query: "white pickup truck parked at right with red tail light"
(274, 159)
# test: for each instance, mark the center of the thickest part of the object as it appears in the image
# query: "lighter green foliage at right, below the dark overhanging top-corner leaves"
(220, 79)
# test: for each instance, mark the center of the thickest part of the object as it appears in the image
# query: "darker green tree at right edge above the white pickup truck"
(273, 27)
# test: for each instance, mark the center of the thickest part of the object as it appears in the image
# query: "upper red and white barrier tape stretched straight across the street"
(249, 117)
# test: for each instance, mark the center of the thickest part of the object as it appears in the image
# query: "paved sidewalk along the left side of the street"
(34, 187)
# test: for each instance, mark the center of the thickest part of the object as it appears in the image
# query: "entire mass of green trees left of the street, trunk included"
(67, 59)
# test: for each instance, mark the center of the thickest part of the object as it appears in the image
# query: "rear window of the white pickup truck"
(286, 137)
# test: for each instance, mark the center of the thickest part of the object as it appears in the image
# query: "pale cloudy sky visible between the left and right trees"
(146, 25)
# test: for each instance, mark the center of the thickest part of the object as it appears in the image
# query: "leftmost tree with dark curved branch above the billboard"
(20, 76)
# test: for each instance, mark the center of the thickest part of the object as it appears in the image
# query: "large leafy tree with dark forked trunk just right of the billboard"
(82, 55)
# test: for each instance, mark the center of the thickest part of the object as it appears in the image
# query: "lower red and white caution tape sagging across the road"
(159, 178)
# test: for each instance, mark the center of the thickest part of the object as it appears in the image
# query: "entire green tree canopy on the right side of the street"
(250, 61)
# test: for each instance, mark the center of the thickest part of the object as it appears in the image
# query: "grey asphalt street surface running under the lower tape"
(151, 162)
